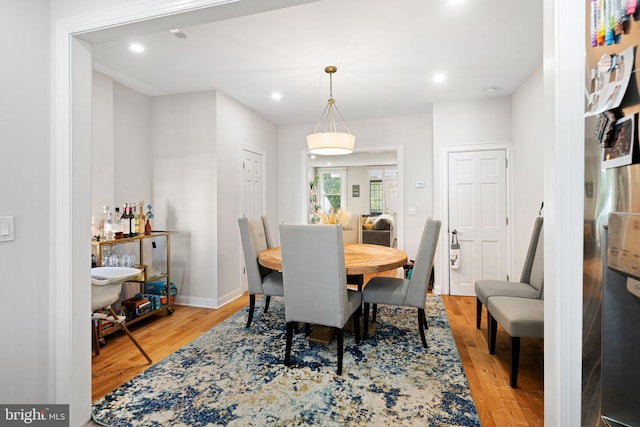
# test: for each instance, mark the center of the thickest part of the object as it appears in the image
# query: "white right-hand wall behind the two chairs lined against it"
(527, 164)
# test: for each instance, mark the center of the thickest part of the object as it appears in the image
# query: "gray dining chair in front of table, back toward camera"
(315, 282)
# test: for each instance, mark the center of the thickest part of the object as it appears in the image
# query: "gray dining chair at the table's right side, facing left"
(406, 292)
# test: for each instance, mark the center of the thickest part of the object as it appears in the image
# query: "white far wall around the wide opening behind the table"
(412, 133)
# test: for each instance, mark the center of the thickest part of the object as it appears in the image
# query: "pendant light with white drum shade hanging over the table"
(326, 139)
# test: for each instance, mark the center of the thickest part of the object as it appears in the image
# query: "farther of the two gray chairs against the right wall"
(531, 280)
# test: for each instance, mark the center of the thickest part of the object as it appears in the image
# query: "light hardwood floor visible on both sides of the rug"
(497, 403)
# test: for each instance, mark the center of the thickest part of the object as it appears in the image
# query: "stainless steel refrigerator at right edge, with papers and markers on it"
(611, 313)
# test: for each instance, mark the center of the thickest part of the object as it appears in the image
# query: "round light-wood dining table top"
(359, 258)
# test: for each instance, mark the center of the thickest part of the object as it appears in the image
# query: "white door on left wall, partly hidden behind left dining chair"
(252, 193)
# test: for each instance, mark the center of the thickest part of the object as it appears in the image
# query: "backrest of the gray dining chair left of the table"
(255, 238)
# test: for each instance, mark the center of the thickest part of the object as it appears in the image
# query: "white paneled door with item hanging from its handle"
(478, 212)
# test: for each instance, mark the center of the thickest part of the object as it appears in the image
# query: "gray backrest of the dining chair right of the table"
(417, 290)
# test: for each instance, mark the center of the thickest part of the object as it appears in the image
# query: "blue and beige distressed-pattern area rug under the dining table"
(235, 376)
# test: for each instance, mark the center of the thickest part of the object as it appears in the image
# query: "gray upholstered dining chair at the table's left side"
(255, 238)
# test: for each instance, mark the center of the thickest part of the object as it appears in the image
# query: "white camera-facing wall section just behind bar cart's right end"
(183, 131)
